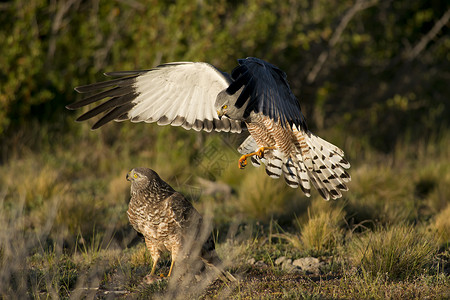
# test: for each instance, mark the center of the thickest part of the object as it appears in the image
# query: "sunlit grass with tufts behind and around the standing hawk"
(64, 230)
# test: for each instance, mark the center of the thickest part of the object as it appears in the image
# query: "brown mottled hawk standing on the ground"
(168, 222)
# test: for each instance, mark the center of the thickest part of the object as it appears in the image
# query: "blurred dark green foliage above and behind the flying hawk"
(376, 69)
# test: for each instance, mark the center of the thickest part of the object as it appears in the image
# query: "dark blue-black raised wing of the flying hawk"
(268, 90)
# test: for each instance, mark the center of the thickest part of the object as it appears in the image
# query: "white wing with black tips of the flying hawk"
(179, 94)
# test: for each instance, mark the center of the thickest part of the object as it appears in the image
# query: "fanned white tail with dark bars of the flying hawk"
(313, 160)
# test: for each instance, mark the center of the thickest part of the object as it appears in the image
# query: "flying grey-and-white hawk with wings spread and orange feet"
(256, 97)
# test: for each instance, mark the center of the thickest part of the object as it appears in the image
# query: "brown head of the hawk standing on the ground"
(147, 179)
